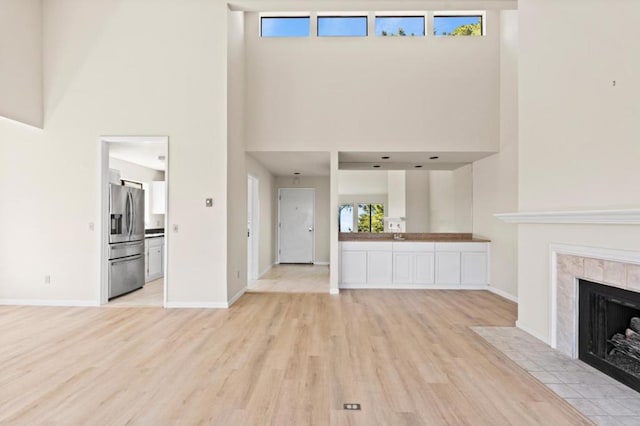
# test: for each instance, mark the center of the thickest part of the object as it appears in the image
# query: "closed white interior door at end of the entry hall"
(296, 225)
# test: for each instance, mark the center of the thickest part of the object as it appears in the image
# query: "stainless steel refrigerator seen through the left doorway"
(126, 239)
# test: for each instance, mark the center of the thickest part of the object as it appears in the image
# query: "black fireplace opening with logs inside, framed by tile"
(609, 331)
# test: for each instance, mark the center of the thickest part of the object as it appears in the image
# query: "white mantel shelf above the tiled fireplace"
(598, 217)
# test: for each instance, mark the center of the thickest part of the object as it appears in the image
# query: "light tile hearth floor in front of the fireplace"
(596, 395)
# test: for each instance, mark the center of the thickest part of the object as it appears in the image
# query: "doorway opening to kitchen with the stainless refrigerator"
(133, 188)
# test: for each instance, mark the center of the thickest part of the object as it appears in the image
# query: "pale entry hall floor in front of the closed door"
(293, 279)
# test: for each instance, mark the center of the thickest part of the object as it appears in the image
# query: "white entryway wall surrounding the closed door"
(322, 212)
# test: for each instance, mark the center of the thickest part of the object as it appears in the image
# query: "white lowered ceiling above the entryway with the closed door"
(286, 163)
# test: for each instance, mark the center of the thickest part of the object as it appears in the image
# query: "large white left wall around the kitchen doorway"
(106, 76)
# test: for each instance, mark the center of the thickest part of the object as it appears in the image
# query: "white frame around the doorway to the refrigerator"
(103, 226)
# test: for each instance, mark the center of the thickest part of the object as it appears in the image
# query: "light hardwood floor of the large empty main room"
(408, 357)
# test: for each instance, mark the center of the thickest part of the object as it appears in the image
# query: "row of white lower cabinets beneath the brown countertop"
(413, 264)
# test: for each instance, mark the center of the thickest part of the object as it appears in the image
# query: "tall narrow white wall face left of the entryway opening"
(236, 163)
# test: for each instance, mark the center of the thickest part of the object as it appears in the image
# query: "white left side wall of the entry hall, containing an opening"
(268, 214)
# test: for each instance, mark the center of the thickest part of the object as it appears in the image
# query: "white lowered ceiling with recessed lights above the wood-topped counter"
(408, 160)
